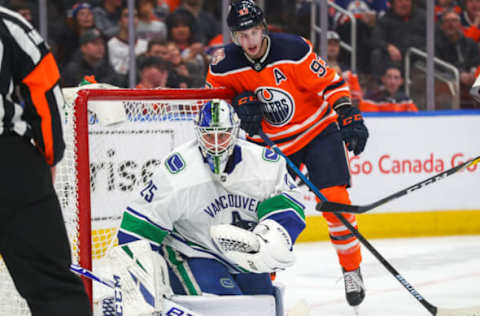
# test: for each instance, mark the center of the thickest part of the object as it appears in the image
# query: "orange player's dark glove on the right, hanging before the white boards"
(354, 132)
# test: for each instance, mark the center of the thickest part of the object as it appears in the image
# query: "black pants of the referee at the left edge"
(33, 238)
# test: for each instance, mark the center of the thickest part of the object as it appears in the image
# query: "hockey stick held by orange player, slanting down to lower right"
(434, 310)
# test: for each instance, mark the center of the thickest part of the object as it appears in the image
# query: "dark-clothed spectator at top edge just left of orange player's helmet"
(208, 27)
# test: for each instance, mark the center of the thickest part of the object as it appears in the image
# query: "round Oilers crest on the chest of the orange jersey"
(278, 105)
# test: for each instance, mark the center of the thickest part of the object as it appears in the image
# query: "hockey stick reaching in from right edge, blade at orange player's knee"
(327, 206)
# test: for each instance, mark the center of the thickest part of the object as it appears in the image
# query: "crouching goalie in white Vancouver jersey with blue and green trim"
(223, 214)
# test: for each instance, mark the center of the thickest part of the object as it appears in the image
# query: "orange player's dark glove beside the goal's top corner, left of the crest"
(249, 110)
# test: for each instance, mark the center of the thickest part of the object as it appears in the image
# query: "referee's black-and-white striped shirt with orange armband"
(29, 87)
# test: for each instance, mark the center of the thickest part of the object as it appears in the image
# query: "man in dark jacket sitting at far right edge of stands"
(453, 47)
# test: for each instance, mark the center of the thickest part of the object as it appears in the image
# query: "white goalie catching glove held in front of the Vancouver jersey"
(267, 249)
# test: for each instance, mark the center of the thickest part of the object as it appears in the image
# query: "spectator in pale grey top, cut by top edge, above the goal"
(149, 25)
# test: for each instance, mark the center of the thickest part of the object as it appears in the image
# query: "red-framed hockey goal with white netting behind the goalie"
(115, 138)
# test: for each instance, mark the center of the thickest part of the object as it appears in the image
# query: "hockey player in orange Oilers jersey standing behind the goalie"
(304, 106)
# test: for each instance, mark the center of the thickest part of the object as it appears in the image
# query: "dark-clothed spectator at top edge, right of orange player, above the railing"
(401, 27)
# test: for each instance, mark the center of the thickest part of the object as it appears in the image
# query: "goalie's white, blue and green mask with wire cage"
(216, 128)
